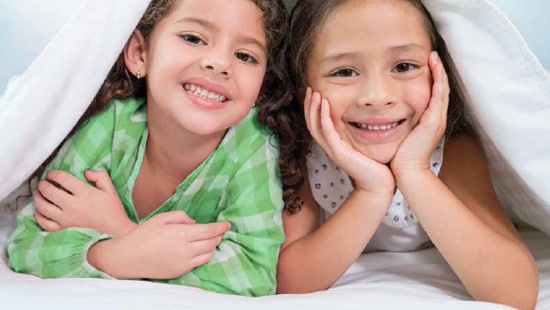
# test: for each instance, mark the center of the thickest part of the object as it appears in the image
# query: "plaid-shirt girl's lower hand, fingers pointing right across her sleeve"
(163, 247)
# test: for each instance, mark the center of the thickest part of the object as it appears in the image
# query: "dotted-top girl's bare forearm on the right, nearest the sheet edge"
(493, 266)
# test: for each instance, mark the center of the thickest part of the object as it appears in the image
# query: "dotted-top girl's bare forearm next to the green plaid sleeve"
(317, 260)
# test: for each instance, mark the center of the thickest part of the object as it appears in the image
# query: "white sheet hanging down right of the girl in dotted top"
(509, 101)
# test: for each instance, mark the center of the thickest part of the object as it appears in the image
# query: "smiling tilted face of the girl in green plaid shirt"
(205, 64)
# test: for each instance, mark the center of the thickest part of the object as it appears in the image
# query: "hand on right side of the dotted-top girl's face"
(415, 151)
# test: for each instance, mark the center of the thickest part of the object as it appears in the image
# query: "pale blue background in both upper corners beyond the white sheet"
(26, 26)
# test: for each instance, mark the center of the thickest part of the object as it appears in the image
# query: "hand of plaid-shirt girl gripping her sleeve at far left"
(62, 201)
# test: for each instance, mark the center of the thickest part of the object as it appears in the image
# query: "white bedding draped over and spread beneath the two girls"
(509, 102)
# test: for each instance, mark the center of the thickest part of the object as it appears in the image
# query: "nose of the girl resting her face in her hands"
(377, 91)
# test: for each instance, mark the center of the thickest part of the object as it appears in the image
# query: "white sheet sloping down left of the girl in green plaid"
(40, 107)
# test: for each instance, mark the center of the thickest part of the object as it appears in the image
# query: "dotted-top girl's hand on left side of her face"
(368, 175)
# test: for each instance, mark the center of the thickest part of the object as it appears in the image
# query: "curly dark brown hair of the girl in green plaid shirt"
(275, 90)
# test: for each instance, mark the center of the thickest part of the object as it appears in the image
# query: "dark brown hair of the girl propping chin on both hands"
(305, 21)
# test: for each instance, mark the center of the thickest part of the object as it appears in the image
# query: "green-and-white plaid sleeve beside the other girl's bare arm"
(245, 261)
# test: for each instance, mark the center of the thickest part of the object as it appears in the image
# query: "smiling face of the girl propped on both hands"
(370, 60)
